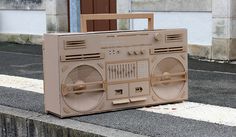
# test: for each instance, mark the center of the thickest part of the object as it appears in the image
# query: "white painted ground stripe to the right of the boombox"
(198, 111)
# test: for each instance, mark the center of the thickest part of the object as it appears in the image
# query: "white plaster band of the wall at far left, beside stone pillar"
(23, 22)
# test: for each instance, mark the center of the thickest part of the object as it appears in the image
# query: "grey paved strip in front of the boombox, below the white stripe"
(155, 124)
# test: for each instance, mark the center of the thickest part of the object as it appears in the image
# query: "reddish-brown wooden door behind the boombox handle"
(99, 6)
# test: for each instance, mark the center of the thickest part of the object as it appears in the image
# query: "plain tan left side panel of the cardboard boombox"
(51, 74)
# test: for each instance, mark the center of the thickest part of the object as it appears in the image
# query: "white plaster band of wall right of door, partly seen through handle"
(199, 24)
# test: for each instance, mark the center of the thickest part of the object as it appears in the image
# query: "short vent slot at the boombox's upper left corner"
(76, 44)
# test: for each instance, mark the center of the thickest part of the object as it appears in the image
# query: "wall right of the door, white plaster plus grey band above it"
(195, 15)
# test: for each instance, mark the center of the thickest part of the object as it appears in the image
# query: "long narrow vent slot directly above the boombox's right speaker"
(167, 50)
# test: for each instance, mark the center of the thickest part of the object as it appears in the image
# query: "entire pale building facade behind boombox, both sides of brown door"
(210, 23)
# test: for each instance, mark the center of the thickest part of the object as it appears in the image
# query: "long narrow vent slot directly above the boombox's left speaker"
(76, 57)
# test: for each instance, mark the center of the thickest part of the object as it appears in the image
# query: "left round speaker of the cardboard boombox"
(84, 97)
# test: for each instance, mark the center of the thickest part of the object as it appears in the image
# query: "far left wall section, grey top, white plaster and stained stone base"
(22, 20)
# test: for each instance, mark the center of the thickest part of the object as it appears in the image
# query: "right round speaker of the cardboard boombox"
(168, 78)
